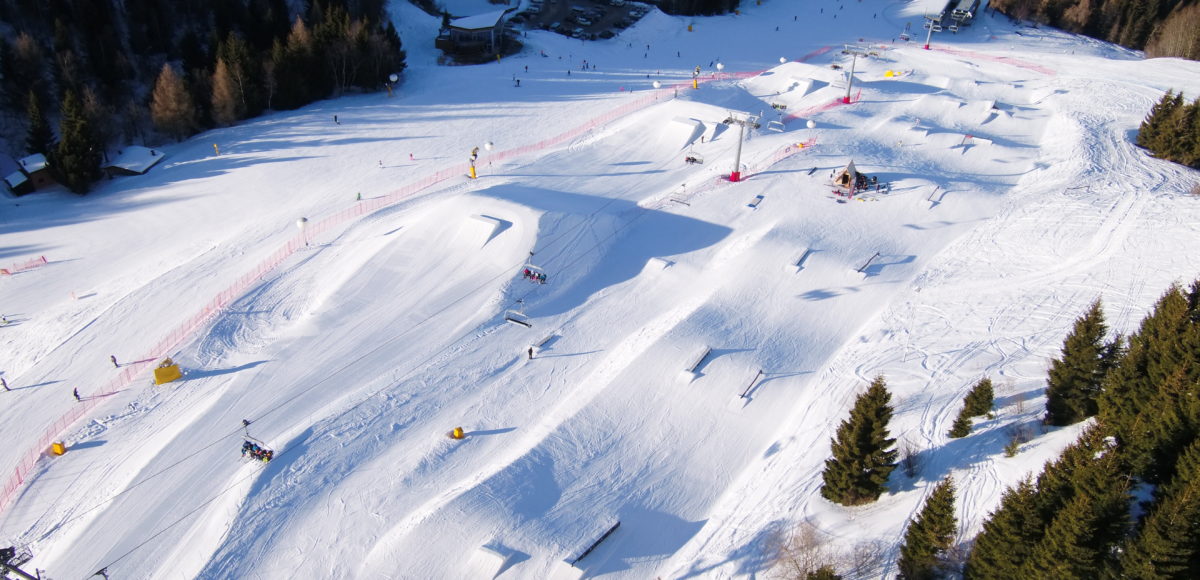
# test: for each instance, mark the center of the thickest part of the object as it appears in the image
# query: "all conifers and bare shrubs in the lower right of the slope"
(1123, 501)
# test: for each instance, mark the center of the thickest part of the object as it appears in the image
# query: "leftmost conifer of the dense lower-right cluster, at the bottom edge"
(1009, 536)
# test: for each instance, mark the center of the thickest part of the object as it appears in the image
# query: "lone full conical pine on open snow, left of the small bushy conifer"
(863, 456)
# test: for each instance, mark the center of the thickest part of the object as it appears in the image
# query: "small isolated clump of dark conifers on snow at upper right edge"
(1172, 130)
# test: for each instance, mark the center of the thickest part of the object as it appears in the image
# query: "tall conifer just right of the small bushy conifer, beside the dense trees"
(1075, 381)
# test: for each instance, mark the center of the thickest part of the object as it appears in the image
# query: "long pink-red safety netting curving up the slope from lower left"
(202, 318)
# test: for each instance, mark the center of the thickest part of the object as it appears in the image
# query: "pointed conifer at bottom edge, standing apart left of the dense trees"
(931, 536)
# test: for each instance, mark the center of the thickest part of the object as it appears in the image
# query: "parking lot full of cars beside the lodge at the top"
(589, 20)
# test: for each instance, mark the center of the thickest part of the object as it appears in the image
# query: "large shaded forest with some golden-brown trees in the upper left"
(135, 70)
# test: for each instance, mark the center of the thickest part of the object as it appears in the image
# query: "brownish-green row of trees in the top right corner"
(1161, 28)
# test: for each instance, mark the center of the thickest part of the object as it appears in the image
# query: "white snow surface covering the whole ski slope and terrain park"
(361, 351)
